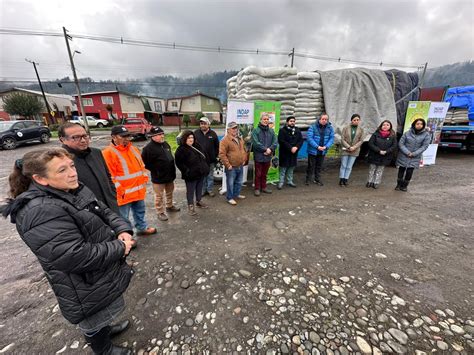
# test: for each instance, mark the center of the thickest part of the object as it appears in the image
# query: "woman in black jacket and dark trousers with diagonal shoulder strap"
(192, 162)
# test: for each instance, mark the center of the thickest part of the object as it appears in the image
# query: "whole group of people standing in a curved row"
(71, 204)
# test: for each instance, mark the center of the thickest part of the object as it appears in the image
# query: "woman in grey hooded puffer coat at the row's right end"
(412, 145)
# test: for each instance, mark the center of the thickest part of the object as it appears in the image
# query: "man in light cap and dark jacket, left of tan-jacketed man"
(209, 142)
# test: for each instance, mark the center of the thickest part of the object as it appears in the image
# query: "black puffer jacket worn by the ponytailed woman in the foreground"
(73, 235)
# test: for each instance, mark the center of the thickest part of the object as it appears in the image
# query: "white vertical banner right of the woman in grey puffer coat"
(436, 117)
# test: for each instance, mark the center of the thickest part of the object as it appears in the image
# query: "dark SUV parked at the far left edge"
(14, 133)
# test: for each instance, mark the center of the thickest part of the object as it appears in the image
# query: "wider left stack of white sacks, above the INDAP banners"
(267, 84)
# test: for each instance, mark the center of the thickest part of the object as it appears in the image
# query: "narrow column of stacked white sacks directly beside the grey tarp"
(309, 102)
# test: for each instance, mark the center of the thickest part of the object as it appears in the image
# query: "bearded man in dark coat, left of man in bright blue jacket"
(290, 140)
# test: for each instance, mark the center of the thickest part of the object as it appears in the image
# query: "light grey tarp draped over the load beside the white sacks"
(358, 90)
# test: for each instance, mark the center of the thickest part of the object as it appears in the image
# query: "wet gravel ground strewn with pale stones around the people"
(311, 270)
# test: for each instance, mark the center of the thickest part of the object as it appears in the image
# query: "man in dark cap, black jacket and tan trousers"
(159, 159)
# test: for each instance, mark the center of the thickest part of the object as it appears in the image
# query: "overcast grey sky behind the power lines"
(402, 32)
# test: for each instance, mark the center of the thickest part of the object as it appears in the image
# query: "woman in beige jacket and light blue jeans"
(352, 138)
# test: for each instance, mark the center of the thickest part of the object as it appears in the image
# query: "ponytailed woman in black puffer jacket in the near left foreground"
(80, 243)
